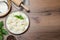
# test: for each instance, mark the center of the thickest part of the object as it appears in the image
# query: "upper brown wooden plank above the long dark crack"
(41, 5)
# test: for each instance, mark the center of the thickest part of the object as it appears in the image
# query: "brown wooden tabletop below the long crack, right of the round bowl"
(45, 28)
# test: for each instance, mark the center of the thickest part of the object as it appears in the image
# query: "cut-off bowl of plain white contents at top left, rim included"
(5, 7)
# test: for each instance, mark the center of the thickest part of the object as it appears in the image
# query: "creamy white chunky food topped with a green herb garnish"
(17, 22)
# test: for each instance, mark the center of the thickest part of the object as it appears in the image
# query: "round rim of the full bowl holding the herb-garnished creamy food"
(23, 31)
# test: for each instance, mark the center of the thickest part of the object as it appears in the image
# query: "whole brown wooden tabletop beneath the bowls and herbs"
(42, 25)
